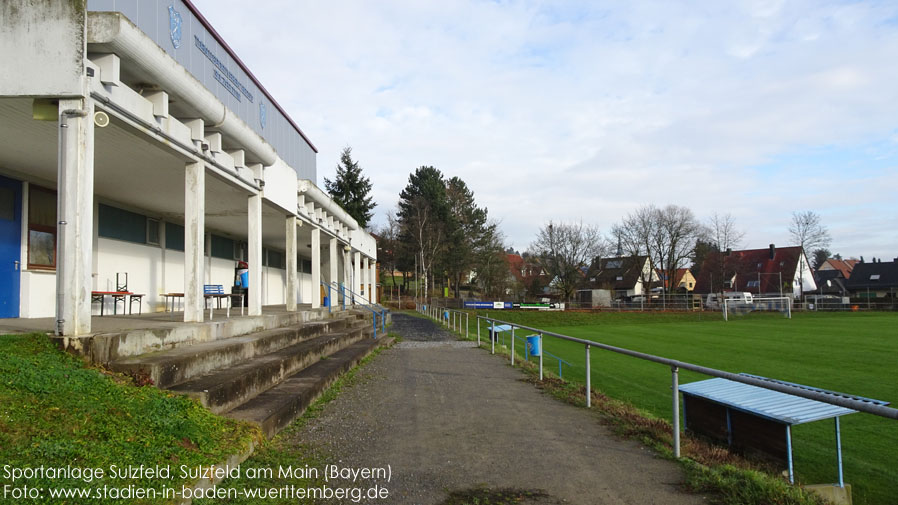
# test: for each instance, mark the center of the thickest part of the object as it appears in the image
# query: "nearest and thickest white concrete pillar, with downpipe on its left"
(75, 216)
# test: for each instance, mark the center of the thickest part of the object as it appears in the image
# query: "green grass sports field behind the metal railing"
(854, 353)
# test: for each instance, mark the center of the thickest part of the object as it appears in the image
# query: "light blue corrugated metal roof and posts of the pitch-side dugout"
(782, 408)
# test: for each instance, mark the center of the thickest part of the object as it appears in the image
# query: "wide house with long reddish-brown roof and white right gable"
(770, 271)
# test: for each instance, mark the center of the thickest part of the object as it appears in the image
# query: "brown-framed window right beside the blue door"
(41, 228)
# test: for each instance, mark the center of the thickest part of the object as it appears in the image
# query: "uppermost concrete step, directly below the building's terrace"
(171, 367)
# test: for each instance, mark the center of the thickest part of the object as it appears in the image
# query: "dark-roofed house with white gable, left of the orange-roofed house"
(614, 278)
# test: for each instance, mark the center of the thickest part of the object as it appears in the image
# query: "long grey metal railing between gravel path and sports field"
(841, 400)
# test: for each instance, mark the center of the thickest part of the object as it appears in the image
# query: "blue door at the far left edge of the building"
(10, 246)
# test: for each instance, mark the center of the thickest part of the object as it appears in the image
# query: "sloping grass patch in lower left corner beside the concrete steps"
(55, 412)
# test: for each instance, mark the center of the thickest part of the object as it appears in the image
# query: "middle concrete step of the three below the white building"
(225, 388)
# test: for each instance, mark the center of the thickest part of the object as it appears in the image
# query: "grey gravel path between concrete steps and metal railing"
(447, 419)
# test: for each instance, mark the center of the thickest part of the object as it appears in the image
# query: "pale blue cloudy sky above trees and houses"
(579, 110)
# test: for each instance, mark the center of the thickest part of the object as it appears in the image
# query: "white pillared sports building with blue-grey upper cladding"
(133, 140)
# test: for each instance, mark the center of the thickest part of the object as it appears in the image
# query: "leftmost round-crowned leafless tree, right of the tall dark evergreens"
(563, 249)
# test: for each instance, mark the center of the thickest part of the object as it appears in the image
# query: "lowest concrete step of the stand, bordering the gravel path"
(279, 406)
